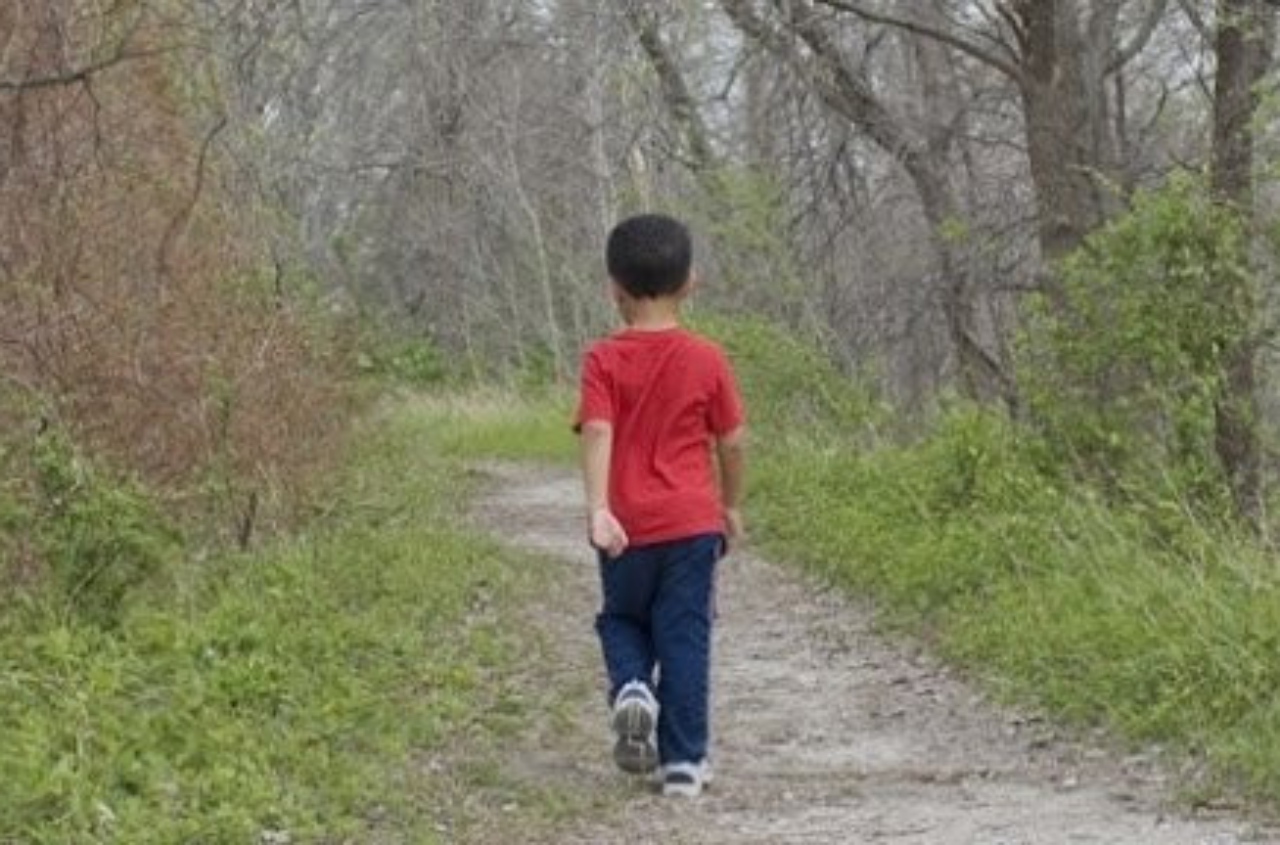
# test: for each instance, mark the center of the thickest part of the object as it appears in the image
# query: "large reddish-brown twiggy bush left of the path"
(135, 299)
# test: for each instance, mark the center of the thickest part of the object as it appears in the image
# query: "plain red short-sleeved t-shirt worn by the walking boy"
(668, 395)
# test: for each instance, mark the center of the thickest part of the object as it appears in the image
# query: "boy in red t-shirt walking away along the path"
(661, 424)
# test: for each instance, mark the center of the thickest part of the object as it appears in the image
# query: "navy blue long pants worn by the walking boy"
(657, 622)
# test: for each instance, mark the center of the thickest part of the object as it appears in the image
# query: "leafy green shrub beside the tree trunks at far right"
(1122, 363)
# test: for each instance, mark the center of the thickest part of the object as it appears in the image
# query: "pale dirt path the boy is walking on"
(824, 733)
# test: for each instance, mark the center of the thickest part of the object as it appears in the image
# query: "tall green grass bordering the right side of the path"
(1154, 627)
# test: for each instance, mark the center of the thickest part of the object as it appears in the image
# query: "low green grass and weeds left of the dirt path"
(299, 689)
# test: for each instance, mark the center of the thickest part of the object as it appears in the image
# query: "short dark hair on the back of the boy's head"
(651, 255)
